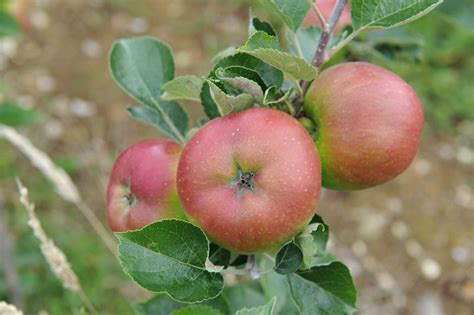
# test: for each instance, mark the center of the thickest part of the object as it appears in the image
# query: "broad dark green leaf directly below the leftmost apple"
(169, 256)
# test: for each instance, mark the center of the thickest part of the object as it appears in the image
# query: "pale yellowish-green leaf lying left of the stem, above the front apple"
(292, 65)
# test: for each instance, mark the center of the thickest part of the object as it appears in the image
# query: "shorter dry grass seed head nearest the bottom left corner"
(54, 256)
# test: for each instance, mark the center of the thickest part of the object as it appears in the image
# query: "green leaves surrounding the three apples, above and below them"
(175, 257)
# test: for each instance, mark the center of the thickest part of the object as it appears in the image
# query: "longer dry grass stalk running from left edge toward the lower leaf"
(59, 178)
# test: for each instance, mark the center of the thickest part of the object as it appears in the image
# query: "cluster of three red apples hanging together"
(251, 180)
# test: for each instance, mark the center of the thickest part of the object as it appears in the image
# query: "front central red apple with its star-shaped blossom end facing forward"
(287, 170)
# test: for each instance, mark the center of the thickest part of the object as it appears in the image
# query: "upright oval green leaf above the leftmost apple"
(141, 66)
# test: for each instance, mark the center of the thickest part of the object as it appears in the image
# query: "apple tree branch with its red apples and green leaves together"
(221, 218)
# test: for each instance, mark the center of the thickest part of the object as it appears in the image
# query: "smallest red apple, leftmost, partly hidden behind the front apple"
(142, 186)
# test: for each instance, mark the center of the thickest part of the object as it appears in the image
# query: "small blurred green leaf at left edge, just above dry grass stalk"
(14, 115)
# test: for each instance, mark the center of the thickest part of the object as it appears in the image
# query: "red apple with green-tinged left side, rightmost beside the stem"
(369, 123)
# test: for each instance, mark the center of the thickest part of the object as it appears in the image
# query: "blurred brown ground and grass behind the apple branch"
(409, 243)
